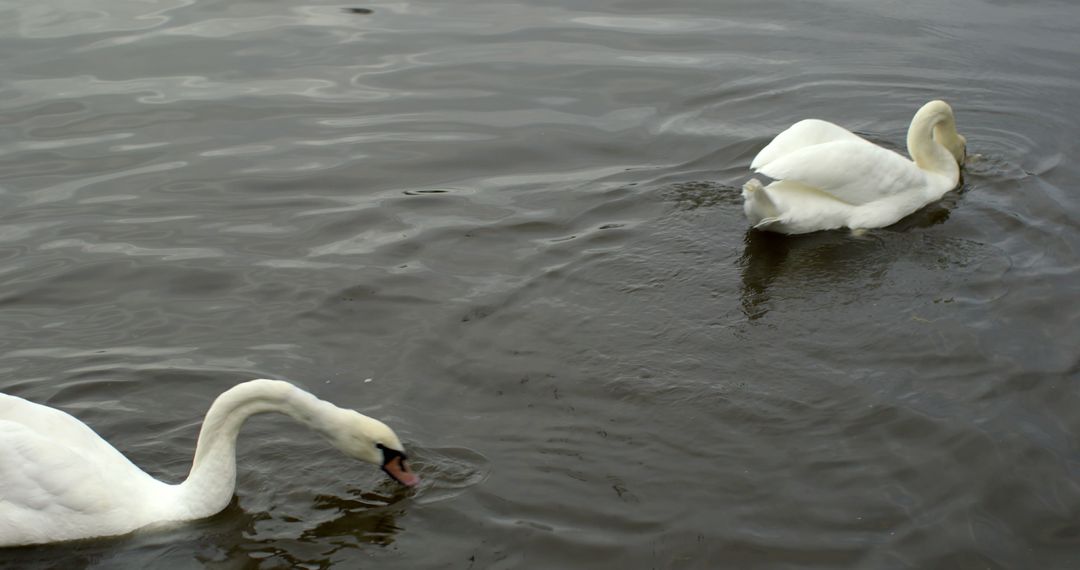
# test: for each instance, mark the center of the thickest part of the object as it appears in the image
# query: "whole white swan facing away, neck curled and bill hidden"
(827, 178)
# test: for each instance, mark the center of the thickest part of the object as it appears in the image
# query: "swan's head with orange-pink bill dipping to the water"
(369, 440)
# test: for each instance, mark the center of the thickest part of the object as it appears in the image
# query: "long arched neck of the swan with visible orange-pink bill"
(213, 479)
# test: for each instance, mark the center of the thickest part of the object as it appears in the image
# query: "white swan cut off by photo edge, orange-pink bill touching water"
(60, 481)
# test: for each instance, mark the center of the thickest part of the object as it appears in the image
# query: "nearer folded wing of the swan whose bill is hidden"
(854, 171)
